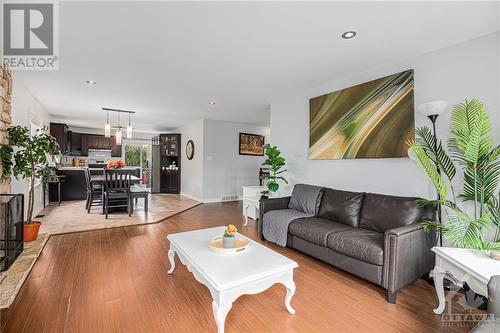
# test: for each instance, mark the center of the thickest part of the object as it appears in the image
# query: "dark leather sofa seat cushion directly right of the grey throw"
(314, 229)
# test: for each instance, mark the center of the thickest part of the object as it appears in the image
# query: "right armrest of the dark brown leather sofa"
(407, 255)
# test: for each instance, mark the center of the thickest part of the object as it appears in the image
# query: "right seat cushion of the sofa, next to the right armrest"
(362, 244)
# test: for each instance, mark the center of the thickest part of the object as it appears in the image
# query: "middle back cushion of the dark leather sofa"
(341, 206)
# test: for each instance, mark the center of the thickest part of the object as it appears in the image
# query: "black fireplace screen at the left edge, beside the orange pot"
(11, 228)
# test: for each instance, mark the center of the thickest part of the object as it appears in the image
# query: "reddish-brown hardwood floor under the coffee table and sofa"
(115, 280)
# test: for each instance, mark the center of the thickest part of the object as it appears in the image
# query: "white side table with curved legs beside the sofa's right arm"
(467, 265)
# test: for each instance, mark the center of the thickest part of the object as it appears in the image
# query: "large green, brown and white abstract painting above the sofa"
(370, 120)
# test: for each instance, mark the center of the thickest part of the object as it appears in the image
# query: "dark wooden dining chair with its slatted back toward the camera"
(117, 190)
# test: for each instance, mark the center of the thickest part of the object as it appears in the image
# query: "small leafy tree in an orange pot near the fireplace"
(26, 157)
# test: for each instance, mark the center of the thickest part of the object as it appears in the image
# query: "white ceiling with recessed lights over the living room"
(168, 60)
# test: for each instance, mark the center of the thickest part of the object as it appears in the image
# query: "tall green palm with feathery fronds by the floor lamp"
(471, 149)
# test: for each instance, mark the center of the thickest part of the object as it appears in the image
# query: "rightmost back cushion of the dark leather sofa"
(383, 212)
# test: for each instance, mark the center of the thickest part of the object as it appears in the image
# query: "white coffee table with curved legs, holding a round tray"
(228, 277)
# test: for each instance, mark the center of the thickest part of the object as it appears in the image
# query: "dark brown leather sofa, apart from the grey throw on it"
(376, 237)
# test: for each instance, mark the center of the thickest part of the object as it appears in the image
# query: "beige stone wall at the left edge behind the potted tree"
(5, 116)
